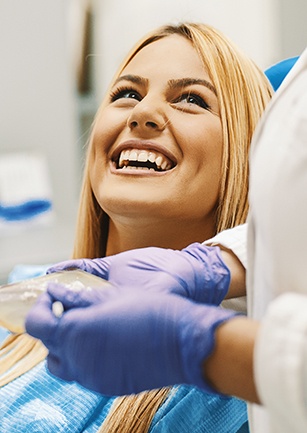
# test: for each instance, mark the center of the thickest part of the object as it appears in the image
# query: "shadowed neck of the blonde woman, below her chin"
(127, 235)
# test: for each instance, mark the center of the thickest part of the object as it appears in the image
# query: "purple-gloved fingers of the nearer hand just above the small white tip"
(76, 299)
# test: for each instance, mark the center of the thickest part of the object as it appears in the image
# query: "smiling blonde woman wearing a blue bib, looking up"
(167, 166)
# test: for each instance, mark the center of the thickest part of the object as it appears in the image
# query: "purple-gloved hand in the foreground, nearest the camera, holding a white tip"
(118, 341)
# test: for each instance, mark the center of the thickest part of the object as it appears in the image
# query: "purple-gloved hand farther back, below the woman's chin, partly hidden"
(197, 272)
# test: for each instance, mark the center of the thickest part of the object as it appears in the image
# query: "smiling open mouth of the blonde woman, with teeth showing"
(132, 159)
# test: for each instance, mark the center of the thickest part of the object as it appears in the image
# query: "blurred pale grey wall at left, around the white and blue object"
(37, 114)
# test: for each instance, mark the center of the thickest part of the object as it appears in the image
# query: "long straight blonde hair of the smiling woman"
(243, 92)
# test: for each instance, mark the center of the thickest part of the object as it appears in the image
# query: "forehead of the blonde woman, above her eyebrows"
(172, 56)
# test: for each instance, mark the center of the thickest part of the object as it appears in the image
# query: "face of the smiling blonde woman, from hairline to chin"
(157, 144)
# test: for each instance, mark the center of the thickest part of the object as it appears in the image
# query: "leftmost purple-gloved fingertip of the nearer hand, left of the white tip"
(40, 321)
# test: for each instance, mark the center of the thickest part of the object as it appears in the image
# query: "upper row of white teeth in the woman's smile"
(160, 160)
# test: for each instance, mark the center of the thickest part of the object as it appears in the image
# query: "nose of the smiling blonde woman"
(147, 115)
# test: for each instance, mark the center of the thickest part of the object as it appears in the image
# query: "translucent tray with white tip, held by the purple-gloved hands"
(17, 299)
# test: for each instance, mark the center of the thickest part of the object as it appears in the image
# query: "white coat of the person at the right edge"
(277, 258)
